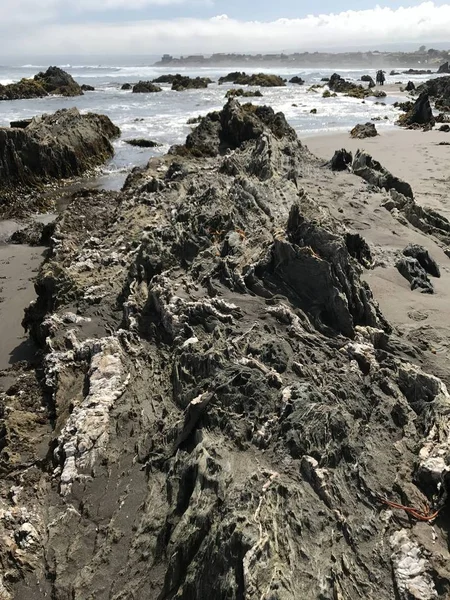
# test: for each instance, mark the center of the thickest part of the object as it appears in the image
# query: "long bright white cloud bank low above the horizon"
(424, 23)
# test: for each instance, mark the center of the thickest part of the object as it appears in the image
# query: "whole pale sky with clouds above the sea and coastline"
(61, 27)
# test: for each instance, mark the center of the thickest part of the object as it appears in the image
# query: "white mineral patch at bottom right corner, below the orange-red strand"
(411, 569)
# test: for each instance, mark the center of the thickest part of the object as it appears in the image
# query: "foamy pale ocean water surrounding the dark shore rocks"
(162, 117)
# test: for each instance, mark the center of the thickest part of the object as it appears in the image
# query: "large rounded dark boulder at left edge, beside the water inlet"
(56, 146)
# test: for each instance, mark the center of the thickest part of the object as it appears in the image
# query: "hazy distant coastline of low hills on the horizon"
(430, 58)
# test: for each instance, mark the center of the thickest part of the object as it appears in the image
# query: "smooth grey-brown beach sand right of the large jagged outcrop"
(418, 158)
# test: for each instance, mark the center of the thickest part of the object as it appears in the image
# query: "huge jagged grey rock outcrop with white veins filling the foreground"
(220, 404)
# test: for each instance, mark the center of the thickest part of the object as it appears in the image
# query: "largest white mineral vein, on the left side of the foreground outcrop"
(86, 432)
